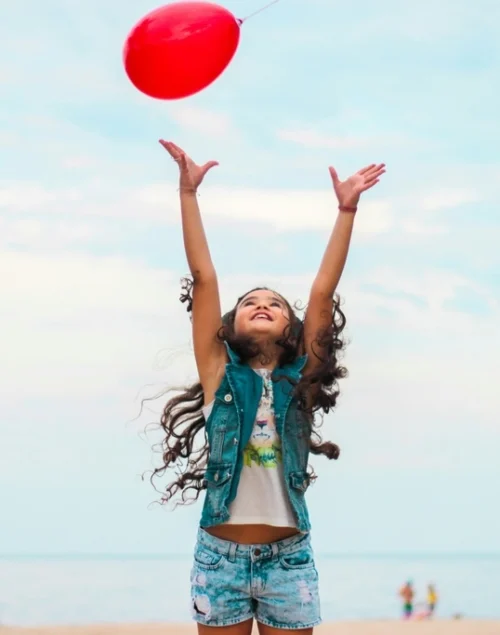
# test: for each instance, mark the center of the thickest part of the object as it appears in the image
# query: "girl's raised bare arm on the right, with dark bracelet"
(320, 306)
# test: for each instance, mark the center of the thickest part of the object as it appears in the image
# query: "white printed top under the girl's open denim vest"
(261, 498)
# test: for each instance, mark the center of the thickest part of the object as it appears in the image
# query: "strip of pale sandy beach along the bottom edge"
(437, 627)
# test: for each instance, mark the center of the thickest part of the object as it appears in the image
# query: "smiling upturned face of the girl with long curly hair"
(262, 313)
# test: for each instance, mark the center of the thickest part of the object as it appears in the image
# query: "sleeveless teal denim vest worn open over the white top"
(229, 428)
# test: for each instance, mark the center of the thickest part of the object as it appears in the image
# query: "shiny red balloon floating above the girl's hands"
(179, 49)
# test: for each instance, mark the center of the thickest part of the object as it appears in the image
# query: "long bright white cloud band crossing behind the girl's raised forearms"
(281, 210)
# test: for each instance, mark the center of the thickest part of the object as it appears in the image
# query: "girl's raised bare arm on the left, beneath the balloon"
(209, 353)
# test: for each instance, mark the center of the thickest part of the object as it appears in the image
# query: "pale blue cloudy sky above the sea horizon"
(91, 257)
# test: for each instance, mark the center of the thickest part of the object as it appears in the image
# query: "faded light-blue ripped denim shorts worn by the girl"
(275, 583)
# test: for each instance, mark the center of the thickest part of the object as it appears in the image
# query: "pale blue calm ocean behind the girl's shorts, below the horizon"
(83, 589)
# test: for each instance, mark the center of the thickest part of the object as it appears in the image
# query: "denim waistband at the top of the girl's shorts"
(234, 550)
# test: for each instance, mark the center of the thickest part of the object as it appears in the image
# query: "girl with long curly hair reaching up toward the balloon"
(264, 373)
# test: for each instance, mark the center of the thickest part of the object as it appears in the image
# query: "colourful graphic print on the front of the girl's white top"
(264, 447)
